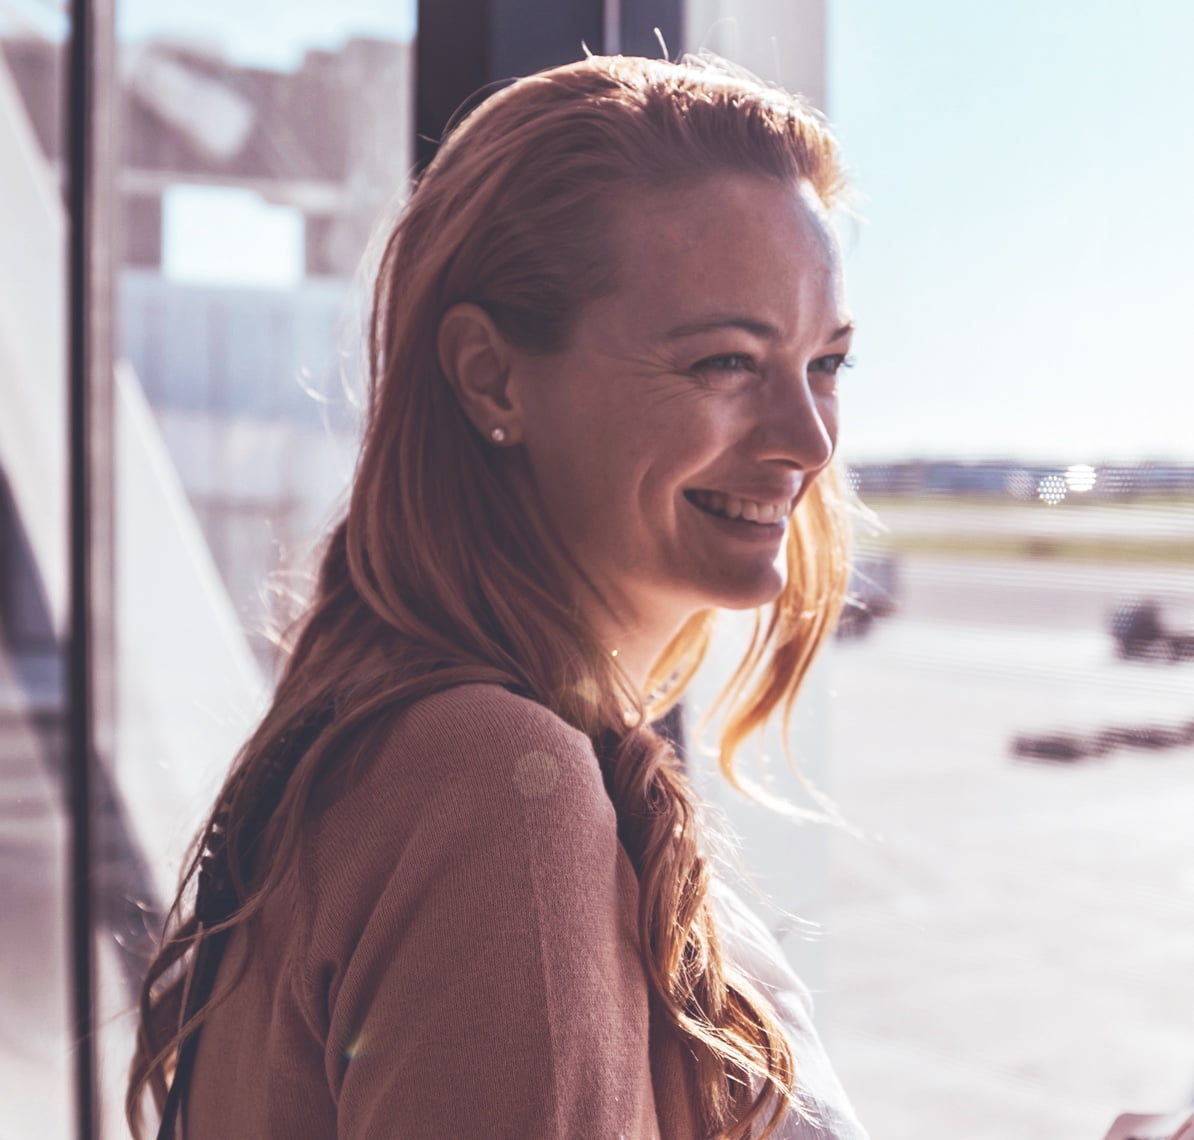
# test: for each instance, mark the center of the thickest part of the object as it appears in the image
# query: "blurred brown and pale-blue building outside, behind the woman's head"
(253, 387)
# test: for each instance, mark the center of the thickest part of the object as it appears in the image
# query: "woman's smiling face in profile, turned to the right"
(696, 404)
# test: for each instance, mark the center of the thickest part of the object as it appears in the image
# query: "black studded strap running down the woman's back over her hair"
(217, 901)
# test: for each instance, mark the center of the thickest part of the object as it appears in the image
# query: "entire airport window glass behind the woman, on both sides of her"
(1000, 941)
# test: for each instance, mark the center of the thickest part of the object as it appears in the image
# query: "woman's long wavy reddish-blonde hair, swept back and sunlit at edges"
(442, 572)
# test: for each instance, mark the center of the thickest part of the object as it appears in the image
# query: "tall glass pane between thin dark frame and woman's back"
(261, 146)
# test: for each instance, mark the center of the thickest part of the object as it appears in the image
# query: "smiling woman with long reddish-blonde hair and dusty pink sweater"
(454, 885)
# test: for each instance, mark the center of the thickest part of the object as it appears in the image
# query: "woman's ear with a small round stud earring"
(477, 362)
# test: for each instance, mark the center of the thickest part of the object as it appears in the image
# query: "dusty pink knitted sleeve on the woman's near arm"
(484, 978)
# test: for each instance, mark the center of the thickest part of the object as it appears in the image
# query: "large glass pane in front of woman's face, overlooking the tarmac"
(1006, 952)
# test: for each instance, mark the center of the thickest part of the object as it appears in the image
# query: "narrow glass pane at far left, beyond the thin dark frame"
(36, 1076)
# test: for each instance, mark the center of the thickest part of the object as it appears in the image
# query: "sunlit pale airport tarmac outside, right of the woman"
(1010, 953)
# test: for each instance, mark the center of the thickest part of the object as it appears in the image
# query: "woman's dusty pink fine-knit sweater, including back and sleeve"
(453, 957)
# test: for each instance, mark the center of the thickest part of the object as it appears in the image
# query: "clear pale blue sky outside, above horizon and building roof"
(1024, 276)
